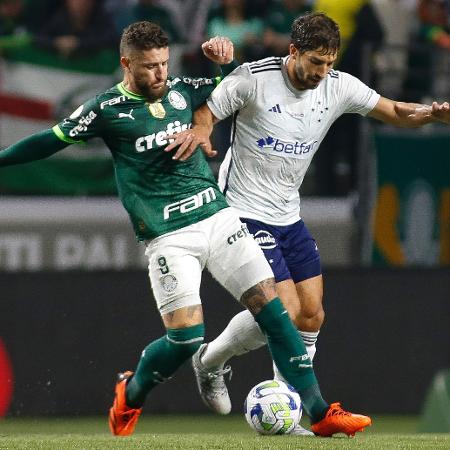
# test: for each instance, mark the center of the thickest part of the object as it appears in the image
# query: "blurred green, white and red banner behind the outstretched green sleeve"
(38, 89)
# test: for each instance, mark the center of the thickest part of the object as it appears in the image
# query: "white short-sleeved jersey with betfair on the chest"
(276, 131)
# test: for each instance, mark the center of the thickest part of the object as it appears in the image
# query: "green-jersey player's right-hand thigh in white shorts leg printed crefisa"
(236, 261)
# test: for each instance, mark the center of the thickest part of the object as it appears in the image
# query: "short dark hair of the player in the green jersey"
(143, 36)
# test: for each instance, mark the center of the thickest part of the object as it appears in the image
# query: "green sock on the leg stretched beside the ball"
(289, 353)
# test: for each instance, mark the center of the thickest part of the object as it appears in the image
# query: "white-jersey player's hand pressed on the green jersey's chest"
(187, 141)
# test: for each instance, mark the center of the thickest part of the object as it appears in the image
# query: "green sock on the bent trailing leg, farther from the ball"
(161, 359)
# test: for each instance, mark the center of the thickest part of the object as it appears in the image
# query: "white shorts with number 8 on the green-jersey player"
(221, 243)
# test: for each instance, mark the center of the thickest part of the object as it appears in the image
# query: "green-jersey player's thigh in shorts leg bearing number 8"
(175, 267)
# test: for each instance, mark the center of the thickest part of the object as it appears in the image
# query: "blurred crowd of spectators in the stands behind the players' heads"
(400, 47)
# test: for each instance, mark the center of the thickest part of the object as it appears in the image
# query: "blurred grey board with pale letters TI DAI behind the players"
(94, 233)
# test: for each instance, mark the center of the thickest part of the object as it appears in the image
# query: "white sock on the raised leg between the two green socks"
(241, 335)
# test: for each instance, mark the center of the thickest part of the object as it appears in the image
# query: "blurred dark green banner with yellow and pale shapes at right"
(411, 222)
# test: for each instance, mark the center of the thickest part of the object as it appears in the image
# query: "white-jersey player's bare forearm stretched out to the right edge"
(409, 115)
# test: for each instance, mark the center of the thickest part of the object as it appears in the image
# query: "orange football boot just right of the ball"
(337, 420)
